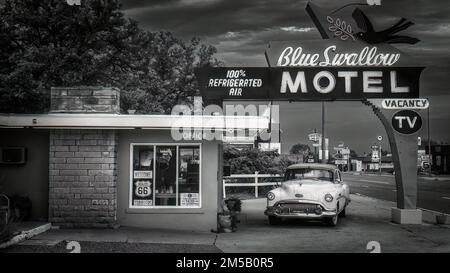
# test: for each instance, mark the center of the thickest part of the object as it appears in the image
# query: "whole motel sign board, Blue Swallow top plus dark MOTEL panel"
(317, 70)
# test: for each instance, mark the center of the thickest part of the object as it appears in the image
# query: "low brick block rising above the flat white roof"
(85, 99)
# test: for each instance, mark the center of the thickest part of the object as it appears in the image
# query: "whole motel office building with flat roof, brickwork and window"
(88, 166)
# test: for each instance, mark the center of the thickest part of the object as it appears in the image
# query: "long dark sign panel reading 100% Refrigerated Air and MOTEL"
(310, 83)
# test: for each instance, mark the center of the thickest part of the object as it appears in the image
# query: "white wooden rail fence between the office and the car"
(255, 183)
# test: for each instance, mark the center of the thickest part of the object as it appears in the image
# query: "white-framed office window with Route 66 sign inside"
(165, 176)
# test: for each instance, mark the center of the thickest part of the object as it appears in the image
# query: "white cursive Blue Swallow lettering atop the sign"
(368, 56)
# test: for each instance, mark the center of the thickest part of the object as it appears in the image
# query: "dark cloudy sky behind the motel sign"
(240, 30)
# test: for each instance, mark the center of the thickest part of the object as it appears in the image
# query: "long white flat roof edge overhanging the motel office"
(117, 121)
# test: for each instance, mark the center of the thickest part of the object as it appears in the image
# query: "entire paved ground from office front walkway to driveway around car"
(367, 220)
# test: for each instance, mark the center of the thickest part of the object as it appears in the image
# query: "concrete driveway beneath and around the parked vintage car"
(367, 220)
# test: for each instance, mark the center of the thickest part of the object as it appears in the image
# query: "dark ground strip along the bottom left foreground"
(114, 247)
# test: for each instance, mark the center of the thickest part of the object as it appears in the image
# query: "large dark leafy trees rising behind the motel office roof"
(50, 43)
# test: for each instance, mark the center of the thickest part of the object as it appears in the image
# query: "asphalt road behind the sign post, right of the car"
(432, 194)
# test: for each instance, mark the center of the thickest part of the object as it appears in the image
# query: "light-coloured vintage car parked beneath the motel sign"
(309, 191)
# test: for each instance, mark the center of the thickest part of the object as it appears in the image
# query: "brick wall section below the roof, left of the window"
(83, 176)
